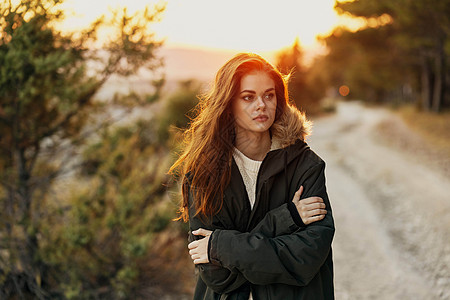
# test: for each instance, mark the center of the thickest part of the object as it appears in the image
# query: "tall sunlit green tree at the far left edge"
(47, 94)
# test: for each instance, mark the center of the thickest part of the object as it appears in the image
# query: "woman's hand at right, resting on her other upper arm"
(310, 209)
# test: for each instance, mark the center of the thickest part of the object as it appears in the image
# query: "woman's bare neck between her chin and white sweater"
(254, 145)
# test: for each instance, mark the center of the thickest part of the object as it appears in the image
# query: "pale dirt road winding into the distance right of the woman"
(392, 210)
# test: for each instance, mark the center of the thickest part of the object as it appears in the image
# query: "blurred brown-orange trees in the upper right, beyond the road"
(400, 56)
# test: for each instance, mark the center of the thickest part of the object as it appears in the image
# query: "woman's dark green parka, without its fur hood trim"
(263, 250)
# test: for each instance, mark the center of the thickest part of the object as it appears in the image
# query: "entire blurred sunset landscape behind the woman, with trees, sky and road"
(94, 96)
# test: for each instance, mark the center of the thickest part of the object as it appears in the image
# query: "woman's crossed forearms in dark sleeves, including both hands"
(286, 253)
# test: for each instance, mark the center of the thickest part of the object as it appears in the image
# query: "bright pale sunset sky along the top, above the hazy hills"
(238, 25)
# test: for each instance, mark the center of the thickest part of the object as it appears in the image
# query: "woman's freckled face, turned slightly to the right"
(255, 105)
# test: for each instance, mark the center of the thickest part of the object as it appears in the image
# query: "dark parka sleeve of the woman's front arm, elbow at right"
(292, 259)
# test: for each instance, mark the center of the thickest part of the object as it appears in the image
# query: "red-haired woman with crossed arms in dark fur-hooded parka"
(246, 167)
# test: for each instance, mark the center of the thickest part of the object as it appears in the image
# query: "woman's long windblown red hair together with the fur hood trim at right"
(205, 163)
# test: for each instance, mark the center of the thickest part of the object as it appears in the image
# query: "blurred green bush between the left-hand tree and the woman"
(116, 210)
